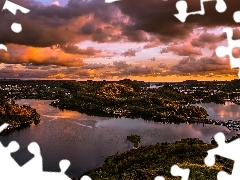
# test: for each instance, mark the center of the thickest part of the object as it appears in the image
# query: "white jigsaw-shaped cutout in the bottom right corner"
(229, 151)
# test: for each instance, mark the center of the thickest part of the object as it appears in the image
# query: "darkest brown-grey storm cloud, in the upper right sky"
(156, 16)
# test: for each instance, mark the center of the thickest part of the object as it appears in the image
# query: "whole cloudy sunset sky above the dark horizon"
(134, 39)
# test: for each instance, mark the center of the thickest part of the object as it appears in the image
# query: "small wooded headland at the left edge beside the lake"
(16, 116)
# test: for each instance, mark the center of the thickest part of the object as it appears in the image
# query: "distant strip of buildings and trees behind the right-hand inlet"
(207, 91)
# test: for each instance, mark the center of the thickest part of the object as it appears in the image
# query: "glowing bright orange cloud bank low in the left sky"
(19, 54)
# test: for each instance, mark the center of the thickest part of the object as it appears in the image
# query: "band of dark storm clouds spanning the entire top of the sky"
(50, 25)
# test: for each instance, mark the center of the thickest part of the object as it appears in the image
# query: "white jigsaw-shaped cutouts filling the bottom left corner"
(33, 169)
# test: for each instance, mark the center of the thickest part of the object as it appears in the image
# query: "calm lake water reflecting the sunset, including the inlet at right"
(87, 140)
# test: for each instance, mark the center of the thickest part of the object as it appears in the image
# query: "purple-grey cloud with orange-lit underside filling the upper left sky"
(45, 26)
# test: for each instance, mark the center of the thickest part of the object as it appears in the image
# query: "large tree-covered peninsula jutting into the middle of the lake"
(130, 99)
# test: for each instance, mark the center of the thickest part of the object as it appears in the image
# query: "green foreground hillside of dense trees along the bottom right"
(156, 160)
